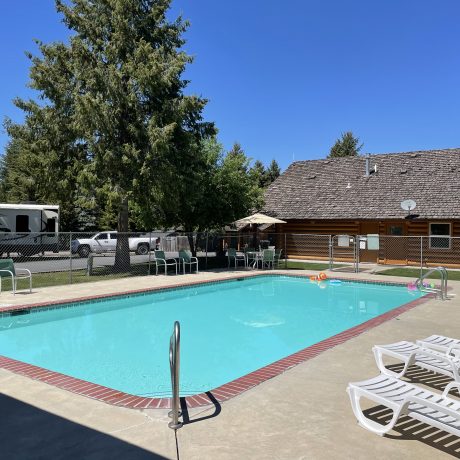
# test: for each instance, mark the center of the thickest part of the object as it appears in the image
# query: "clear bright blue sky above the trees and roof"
(285, 79)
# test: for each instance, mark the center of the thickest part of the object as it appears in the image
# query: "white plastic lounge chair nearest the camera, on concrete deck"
(404, 398)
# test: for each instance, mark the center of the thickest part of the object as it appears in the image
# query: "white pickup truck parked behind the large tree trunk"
(107, 242)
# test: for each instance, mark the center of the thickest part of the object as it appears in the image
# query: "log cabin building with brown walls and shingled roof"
(362, 196)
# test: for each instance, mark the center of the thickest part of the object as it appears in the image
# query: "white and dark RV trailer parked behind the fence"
(28, 229)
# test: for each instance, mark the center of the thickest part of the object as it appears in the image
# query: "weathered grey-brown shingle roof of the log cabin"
(339, 189)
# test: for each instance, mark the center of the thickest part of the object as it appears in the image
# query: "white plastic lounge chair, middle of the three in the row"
(411, 354)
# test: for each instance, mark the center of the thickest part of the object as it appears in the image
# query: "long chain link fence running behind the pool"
(71, 258)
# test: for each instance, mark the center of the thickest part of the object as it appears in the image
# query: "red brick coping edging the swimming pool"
(222, 393)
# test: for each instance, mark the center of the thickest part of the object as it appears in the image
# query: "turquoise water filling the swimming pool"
(227, 330)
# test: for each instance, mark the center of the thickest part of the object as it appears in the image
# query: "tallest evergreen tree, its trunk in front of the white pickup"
(118, 85)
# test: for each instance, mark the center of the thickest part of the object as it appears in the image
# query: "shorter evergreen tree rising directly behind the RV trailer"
(41, 162)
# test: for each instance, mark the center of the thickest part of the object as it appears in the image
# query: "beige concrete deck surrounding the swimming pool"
(303, 413)
